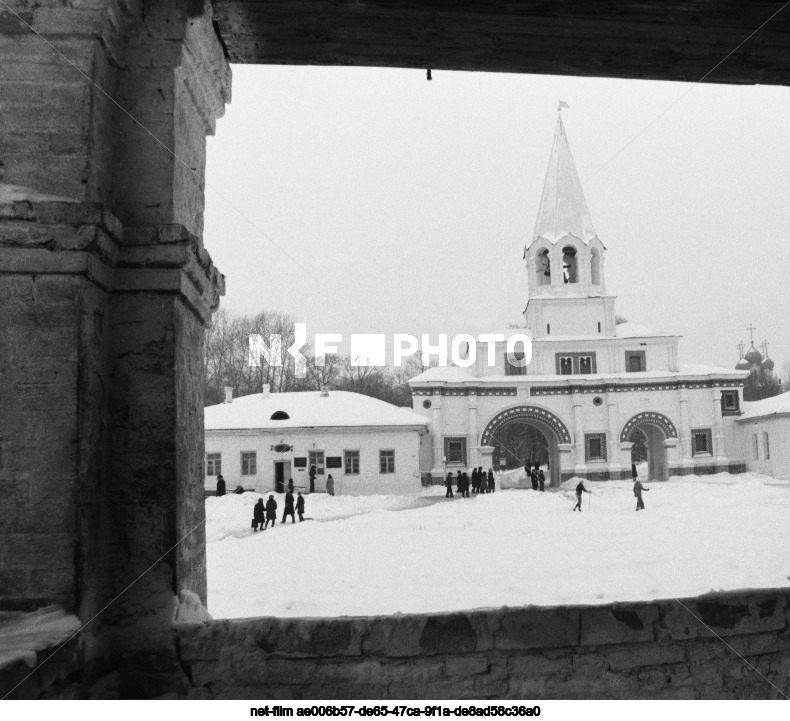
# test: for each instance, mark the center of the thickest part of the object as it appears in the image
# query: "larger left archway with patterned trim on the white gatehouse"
(549, 426)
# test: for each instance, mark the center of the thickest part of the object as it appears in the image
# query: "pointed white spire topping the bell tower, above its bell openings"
(562, 209)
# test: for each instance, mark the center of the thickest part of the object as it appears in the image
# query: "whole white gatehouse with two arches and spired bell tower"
(594, 388)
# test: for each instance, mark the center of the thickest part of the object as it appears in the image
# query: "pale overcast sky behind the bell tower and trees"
(374, 201)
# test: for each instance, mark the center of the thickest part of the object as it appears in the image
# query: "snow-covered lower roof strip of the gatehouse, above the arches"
(453, 374)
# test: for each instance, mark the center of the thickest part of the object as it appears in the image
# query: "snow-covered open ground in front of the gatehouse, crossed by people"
(391, 554)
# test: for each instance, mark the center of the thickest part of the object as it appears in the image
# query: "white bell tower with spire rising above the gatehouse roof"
(565, 260)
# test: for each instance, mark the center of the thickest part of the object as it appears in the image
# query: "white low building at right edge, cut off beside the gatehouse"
(764, 434)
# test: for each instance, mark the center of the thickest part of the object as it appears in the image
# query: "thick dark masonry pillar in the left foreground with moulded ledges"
(107, 290)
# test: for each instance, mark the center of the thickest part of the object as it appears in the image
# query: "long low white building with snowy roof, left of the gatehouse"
(262, 440)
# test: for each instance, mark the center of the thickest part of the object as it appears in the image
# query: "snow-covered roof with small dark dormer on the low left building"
(308, 409)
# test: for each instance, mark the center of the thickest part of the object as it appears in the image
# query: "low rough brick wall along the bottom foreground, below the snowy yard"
(634, 650)
